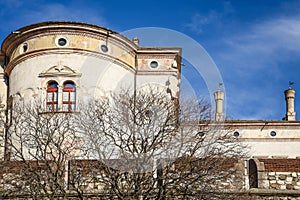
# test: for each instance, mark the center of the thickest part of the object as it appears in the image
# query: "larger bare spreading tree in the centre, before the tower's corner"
(149, 147)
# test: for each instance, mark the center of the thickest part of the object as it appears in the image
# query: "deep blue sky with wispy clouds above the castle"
(254, 43)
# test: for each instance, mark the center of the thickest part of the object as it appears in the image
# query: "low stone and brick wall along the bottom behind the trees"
(277, 178)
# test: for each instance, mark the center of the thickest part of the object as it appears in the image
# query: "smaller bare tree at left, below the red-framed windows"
(40, 145)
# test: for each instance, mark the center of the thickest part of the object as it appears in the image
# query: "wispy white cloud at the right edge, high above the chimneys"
(268, 37)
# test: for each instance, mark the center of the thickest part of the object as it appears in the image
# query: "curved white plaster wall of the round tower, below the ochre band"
(97, 75)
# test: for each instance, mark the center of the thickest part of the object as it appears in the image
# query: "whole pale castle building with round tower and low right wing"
(62, 64)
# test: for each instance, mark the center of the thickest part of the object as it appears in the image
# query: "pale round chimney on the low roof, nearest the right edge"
(290, 108)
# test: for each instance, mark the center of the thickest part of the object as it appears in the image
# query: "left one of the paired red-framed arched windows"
(52, 96)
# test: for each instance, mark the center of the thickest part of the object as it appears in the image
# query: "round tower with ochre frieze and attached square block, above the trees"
(62, 63)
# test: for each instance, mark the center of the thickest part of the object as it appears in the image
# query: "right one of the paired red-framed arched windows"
(69, 96)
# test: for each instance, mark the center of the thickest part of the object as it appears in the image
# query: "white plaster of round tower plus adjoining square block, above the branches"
(98, 78)
